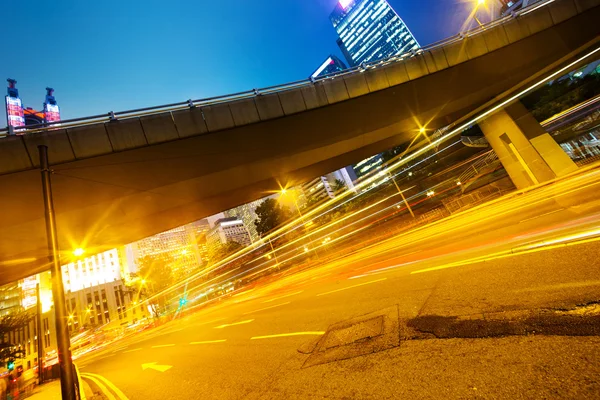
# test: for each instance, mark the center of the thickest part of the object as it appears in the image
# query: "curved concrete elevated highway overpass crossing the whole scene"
(148, 171)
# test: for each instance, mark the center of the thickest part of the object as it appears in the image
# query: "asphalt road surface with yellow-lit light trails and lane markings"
(375, 323)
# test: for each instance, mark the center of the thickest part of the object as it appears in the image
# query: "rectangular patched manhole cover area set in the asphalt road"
(359, 336)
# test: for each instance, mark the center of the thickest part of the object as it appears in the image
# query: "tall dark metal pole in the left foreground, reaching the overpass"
(67, 381)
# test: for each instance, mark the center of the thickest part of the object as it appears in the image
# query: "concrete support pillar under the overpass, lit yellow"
(527, 152)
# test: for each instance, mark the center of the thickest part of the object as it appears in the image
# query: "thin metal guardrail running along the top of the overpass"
(140, 112)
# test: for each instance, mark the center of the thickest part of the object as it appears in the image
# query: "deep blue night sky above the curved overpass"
(118, 55)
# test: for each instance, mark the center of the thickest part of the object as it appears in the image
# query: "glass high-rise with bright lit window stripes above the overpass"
(370, 30)
